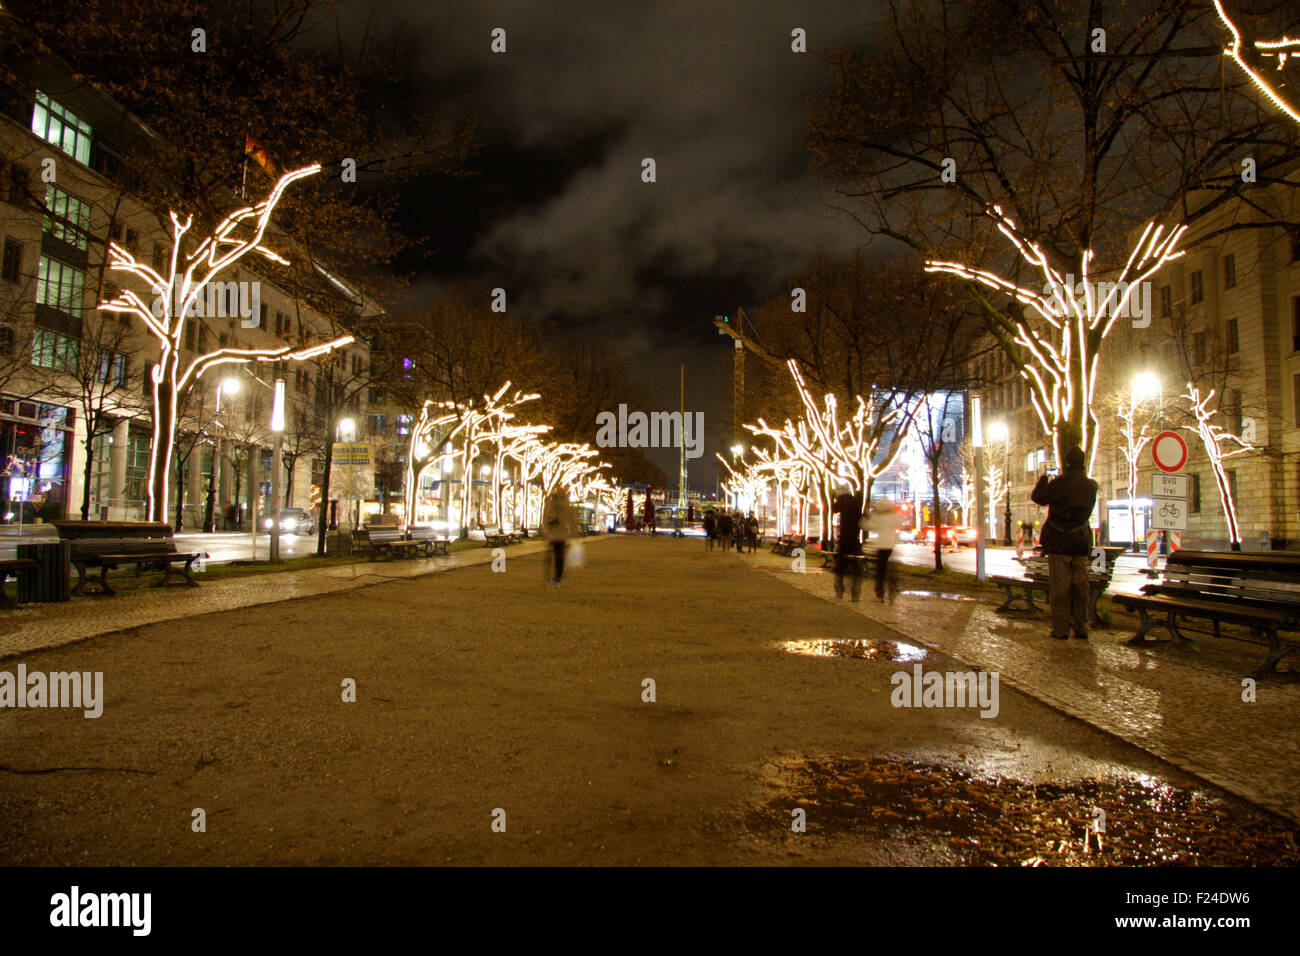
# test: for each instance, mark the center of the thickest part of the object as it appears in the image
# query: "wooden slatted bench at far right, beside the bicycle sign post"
(1256, 591)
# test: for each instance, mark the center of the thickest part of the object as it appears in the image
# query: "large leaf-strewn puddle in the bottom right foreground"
(999, 821)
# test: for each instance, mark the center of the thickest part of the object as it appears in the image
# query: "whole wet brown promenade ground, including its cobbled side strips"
(482, 691)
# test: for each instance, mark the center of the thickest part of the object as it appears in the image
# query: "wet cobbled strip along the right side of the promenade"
(1180, 704)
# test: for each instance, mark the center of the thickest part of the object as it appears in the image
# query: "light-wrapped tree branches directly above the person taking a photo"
(1060, 351)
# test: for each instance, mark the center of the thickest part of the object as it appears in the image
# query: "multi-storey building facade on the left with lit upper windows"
(76, 380)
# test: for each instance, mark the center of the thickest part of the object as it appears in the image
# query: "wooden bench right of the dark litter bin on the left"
(109, 546)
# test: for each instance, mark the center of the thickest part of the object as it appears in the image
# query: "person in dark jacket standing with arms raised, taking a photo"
(1068, 543)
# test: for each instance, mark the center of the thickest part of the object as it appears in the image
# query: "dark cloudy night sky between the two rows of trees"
(558, 214)
